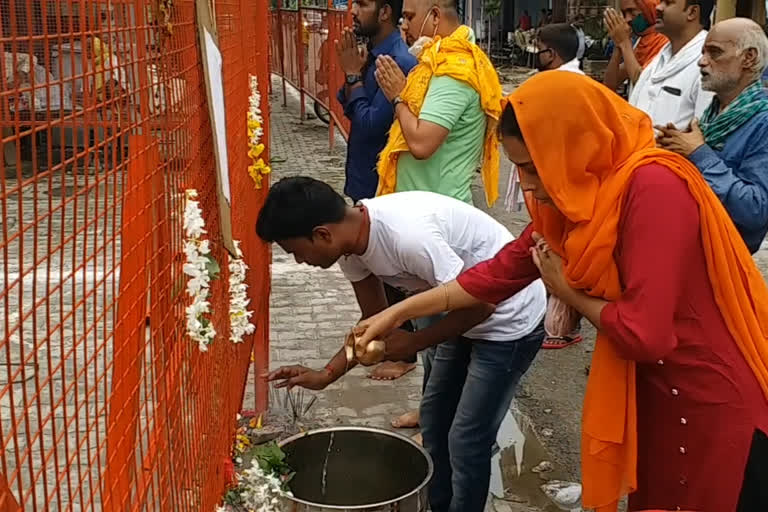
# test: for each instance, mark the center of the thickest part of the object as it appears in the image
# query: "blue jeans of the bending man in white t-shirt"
(470, 387)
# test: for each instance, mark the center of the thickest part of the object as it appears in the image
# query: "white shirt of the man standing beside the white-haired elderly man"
(669, 88)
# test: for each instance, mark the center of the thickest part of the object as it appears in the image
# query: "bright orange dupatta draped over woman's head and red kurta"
(586, 142)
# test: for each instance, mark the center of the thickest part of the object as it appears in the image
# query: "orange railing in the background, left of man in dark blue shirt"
(302, 53)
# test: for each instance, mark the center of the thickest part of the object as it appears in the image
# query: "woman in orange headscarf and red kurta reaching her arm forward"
(632, 237)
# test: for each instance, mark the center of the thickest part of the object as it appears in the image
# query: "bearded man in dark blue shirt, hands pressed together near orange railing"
(370, 112)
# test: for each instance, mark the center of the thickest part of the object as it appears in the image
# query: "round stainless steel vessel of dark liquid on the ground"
(356, 469)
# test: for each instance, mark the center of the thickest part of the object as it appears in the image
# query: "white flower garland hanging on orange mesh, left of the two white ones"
(199, 326)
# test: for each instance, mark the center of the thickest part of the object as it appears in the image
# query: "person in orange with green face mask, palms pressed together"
(628, 60)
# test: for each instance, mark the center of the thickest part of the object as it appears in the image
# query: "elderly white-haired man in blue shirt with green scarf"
(729, 144)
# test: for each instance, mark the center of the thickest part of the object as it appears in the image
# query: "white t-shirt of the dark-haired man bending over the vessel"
(419, 240)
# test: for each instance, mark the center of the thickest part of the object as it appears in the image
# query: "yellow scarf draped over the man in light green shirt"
(457, 57)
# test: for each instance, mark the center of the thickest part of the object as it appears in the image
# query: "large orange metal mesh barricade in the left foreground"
(105, 403)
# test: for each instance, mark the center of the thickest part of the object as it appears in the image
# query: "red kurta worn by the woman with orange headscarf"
(698, 401)
